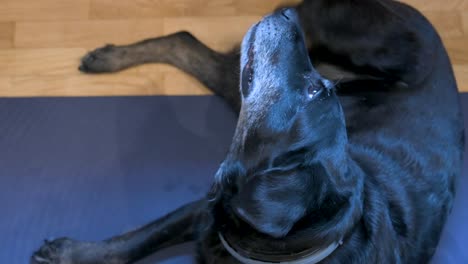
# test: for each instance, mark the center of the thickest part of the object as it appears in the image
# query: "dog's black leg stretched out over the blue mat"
(177, 227)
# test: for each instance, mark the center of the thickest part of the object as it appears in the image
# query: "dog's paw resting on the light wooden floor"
(109, 58)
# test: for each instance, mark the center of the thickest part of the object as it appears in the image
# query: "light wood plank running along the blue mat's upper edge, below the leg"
(126, 83)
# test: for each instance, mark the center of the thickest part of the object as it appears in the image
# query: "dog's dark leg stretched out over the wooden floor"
(217, 71)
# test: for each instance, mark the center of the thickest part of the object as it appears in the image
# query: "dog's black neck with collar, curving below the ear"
(317, 236)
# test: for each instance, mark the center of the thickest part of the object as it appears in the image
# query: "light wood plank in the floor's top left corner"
(23, 10)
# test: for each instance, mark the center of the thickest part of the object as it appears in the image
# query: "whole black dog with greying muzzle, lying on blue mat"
(354, 160)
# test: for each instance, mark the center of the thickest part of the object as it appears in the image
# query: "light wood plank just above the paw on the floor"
(89, 34)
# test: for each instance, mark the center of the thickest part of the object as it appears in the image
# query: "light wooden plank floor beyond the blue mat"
(41, 41)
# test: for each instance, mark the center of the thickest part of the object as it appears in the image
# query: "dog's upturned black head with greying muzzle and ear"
(290, 139)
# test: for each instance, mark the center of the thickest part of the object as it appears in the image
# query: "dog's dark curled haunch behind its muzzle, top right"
(384, 39)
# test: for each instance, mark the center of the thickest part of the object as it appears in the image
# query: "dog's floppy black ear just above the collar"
(273, 202)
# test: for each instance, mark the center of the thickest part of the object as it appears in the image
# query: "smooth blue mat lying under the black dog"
(91, 168)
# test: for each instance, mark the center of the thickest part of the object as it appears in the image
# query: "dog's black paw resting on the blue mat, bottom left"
(59, 251)
